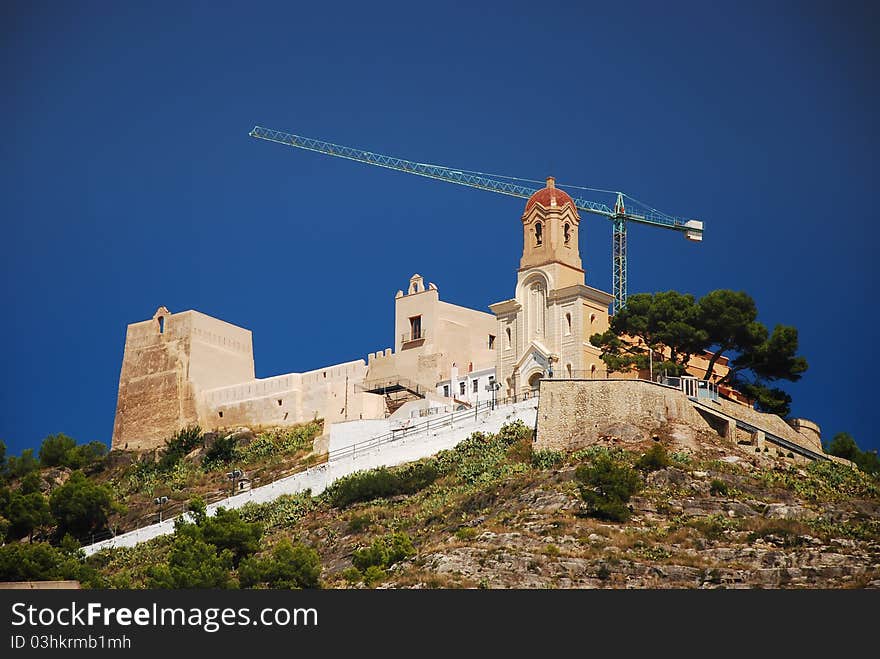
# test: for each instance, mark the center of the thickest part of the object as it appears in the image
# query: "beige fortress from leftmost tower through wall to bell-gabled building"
(185, 368)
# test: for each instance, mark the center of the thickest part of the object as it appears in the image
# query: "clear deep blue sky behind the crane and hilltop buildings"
(128, 179)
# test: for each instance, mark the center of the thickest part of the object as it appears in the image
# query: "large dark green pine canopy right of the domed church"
(722, 323)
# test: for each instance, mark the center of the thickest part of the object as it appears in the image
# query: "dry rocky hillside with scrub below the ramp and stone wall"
(493, 514)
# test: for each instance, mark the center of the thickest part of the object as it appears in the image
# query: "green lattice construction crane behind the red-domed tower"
(618, 213)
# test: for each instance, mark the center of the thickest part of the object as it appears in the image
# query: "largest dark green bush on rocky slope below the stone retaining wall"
(606, 487)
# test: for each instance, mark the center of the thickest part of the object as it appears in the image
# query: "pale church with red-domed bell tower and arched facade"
(545, 328)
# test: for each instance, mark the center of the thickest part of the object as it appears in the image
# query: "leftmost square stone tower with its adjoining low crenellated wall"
(184, 368)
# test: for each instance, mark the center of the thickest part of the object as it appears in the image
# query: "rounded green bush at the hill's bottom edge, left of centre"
(290, 566)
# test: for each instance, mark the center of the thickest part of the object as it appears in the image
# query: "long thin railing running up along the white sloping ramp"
(394, 435)
